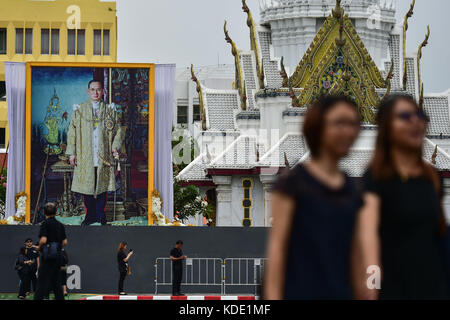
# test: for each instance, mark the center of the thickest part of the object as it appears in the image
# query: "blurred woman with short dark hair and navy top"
(313, 208)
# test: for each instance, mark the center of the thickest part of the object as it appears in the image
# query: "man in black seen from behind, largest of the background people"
(52, 239)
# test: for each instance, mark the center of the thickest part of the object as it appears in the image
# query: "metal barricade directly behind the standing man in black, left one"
(200, 272)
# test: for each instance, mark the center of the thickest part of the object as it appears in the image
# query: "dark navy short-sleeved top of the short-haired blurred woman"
(318, 257)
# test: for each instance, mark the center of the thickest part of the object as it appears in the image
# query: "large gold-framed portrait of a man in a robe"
(90, 142)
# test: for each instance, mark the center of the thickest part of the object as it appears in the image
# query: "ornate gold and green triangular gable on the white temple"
(337, 62)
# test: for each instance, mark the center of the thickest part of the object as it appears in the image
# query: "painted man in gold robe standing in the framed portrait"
(93, 144)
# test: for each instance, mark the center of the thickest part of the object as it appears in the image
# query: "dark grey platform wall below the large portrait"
(92, 254)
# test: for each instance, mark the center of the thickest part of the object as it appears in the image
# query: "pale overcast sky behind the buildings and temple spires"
(191, 31)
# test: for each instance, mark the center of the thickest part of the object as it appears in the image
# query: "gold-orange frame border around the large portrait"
(151, 124)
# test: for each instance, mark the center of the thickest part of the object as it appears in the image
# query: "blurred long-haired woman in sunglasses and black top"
(401, 223)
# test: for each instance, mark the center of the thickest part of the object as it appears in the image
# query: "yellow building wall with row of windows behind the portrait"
(48, 14)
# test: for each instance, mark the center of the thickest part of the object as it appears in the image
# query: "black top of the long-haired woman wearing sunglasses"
(412, 250)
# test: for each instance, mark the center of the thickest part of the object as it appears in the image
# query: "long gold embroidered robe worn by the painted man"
(80, 144)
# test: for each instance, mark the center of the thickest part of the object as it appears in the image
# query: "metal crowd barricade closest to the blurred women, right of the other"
(243, 273)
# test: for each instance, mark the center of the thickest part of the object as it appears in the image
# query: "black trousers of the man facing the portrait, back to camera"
(49, 279)
